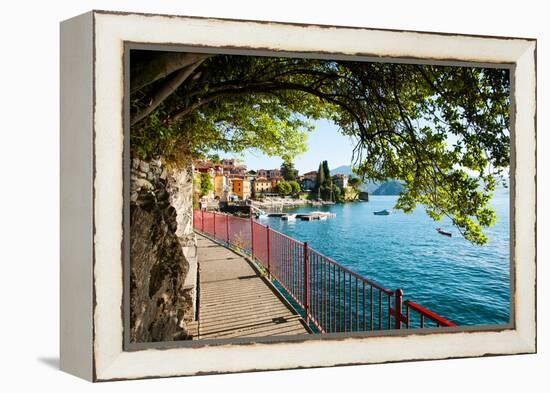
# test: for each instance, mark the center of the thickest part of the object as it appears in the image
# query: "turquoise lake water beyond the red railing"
(467, 284)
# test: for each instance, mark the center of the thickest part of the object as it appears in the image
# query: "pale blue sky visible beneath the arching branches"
(324, 143)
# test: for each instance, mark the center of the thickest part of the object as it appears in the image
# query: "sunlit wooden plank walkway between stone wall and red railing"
(235, 301)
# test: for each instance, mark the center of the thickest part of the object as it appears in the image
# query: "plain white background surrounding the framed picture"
(29, 197)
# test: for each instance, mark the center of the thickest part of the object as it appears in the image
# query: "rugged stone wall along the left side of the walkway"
(163, 263)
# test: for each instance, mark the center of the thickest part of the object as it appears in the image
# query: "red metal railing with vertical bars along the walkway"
(331, 297)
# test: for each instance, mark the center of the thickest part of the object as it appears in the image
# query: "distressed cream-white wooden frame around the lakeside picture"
(93, 59)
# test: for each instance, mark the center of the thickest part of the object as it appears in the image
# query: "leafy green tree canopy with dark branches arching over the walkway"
(443, 131)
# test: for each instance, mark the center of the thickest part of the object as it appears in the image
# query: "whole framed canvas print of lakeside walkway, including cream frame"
(244, 195)
